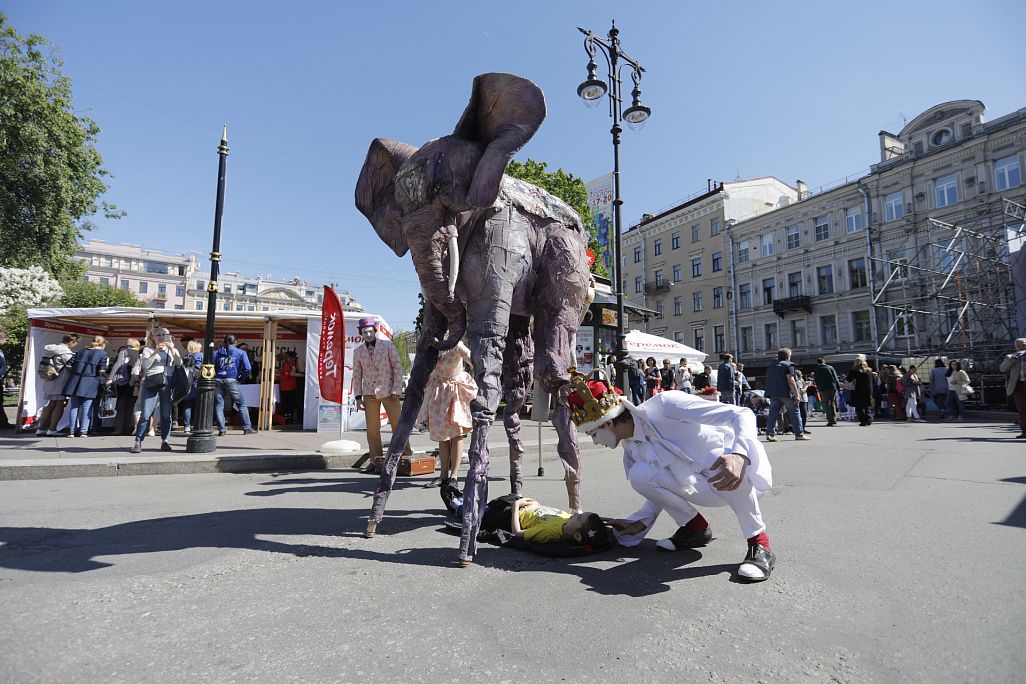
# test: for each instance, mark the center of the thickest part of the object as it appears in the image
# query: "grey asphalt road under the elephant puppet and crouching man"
(900, 548)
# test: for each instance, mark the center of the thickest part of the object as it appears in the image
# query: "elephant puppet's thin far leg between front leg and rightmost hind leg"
(518, 360)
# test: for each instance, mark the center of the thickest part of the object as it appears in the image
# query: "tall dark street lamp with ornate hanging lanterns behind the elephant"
(591, 91)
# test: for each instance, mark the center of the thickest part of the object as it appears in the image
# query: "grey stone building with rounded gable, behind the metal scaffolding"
(880, 264)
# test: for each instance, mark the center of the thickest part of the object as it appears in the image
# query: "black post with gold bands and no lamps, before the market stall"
(203, 438)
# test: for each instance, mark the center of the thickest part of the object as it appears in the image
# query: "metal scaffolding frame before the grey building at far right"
(950, 292)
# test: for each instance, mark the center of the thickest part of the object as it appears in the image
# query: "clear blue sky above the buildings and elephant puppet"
(796, 90)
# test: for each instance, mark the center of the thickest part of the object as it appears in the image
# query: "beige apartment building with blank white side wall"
(677, 261)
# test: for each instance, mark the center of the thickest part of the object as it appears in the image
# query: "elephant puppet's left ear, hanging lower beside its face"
(376, 191)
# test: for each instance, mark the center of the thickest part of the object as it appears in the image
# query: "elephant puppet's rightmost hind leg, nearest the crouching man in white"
(561, 291)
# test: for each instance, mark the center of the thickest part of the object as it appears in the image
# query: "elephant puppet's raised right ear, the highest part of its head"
(503, 114)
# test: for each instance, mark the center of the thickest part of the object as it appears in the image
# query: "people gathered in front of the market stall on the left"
(138, 389)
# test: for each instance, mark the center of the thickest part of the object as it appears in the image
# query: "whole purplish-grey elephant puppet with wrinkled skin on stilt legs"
(493, 254)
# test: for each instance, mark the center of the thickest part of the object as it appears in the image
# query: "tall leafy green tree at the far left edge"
(52, 175)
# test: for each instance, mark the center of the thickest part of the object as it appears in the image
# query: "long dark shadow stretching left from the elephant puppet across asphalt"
(61, 550)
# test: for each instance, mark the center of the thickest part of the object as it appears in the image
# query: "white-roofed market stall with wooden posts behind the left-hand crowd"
(267, 333)
